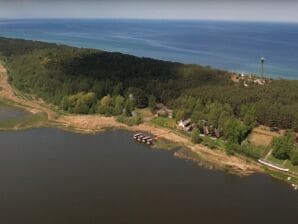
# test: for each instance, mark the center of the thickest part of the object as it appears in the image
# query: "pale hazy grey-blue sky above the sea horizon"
(241, 10)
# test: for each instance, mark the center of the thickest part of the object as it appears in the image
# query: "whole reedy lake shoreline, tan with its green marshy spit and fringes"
(87, 124)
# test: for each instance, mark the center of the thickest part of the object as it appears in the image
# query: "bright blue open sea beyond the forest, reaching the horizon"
(235, 46)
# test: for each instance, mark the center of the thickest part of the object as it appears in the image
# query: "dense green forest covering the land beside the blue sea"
(80, 80)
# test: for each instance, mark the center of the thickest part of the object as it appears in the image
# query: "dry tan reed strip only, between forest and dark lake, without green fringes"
(91, 123)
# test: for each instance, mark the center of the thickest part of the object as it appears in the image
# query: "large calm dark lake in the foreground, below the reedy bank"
(53, 176)
